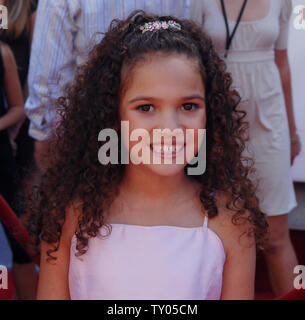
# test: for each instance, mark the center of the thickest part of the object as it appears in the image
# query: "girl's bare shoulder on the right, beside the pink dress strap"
(235, 235)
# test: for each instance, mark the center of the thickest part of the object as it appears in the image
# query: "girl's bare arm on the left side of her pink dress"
(54, 275)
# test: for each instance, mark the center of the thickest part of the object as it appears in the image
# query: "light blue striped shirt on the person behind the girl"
(65, 31)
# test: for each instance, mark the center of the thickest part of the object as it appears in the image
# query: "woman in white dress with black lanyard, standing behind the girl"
(252, 37)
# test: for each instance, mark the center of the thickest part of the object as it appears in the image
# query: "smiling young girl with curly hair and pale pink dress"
(148, 231)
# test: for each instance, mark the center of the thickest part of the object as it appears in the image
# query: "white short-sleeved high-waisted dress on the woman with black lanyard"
(256, 77)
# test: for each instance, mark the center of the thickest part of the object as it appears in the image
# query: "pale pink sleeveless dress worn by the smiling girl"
(149, 263)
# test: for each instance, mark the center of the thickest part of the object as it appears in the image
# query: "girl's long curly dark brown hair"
(91, 104)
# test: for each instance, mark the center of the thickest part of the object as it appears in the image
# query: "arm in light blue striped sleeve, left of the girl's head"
(51, 63)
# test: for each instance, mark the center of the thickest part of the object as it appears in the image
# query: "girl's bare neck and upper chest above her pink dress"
(146, 198)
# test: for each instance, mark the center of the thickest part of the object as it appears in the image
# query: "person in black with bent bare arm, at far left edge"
(12, 112)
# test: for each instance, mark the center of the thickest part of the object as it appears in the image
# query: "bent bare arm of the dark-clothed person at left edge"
(12, 89)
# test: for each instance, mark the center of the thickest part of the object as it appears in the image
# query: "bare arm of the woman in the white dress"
(281, 60)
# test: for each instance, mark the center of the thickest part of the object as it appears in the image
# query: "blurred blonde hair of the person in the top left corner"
(18, 17)
